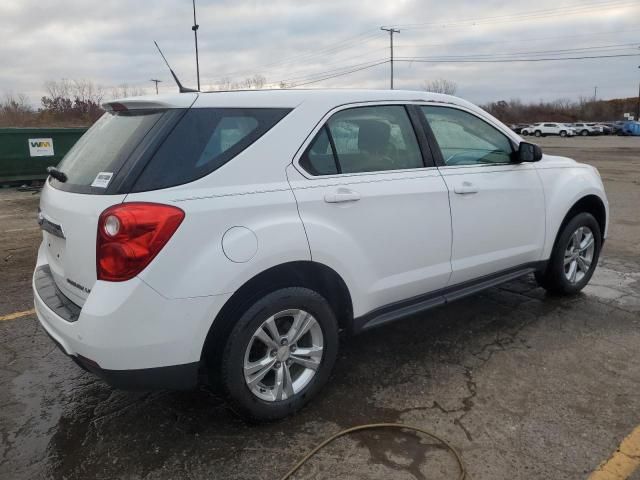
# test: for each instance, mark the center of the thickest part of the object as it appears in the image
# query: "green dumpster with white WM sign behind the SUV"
(25, 153)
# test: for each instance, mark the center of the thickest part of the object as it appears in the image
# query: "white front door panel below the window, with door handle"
(498, 218)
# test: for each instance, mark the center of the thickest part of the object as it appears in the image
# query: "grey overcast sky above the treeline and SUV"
(110, 42)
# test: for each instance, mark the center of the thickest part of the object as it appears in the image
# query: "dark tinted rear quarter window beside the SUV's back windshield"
(203, 141)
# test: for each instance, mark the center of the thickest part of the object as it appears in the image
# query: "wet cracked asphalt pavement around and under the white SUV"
(524, 385)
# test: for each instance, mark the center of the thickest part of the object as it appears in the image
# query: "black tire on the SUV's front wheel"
(555, 278)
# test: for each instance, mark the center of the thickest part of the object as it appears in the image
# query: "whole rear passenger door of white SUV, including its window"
(373, 207)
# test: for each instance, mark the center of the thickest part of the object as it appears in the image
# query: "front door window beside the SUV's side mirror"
(465, 139)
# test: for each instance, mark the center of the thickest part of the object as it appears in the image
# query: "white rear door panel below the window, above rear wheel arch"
(390, 239)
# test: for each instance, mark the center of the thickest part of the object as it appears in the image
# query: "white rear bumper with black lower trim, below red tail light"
(127, 333)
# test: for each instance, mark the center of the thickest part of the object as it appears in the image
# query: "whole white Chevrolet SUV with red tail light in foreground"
(229, 237)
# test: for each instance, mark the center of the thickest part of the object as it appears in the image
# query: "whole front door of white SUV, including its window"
(497, 207)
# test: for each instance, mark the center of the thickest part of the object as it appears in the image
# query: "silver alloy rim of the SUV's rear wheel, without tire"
(283, 355)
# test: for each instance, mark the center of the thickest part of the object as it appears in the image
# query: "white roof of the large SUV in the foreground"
(282, 98)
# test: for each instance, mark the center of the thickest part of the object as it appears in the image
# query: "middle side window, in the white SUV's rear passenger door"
(364, 139)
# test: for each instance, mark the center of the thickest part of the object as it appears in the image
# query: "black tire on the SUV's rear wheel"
(267, 402)
